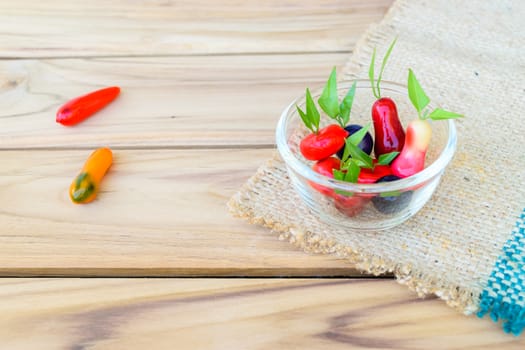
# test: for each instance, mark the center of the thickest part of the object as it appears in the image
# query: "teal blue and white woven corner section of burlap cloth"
(504, 295)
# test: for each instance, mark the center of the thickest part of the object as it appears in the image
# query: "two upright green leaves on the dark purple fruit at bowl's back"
(329, 101)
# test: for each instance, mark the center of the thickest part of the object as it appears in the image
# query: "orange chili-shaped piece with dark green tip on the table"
(85, 187)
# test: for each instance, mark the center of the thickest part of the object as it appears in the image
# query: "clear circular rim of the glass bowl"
(413, 181)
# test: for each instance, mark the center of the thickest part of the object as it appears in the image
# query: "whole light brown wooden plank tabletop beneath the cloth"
(203, 83)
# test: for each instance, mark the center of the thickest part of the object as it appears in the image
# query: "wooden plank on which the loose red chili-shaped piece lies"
(177, 101)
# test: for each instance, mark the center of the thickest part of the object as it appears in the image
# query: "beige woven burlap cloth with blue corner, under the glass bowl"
(464, 245)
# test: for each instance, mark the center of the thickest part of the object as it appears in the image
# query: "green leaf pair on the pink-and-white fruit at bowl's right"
(420, 101)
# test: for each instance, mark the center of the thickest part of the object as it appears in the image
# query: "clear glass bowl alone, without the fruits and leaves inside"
(364, 207)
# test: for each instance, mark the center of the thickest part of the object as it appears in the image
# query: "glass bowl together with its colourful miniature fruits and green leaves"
(366, 154)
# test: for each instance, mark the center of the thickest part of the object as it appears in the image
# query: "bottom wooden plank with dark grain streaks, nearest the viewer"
(233, 314)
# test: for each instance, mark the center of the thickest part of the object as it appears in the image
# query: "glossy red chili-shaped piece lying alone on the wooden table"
(80, 108)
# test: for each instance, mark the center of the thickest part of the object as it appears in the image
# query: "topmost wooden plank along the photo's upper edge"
(60, 28)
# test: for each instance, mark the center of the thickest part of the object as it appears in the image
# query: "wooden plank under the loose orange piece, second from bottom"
(160, 212)
